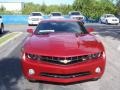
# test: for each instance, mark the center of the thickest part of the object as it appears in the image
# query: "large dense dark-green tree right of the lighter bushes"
(94, 8)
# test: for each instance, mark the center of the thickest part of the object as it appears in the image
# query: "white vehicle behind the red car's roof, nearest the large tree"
(77, 15)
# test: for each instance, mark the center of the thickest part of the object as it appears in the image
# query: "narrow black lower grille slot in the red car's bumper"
(65, 76)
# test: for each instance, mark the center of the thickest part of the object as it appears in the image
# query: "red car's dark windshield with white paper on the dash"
(53, 26)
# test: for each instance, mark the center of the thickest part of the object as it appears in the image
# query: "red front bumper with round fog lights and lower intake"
(63, 73)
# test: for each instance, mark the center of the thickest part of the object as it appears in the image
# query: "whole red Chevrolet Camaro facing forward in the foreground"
(62, 51)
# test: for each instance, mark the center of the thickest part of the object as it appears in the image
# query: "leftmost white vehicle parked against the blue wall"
(35, 18)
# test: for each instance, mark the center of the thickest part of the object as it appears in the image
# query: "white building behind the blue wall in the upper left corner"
(12, 6)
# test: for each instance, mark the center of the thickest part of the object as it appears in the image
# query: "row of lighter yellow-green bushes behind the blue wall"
(30, 7)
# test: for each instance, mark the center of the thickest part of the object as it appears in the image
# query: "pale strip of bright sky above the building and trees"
(47, 2)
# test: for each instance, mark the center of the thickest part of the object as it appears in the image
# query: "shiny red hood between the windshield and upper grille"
(62, 44)
